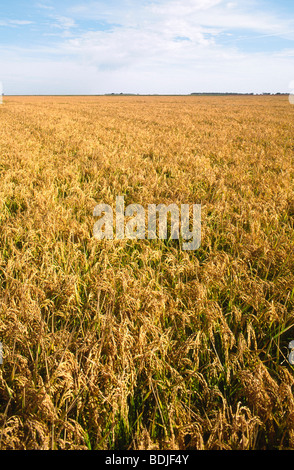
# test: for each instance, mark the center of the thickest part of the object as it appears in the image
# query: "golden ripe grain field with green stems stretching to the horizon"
(137, 344)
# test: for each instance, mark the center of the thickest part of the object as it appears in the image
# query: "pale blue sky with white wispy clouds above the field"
(158, 46)
